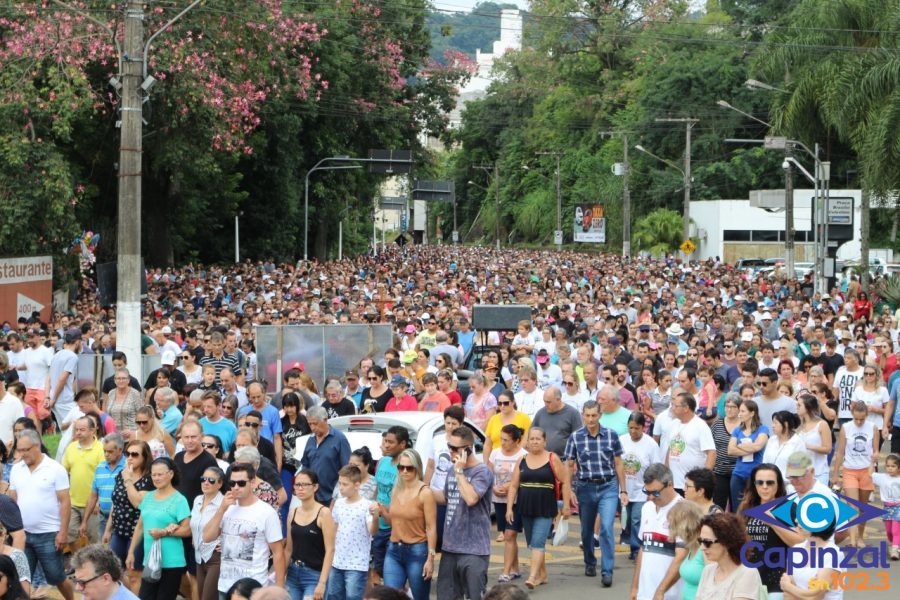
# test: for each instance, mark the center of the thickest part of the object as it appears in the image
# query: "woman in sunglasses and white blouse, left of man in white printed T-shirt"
(207, 556)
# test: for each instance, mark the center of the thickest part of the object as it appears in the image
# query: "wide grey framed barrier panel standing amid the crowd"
(324, 350)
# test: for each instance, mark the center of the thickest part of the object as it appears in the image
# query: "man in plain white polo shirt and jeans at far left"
(40, 486)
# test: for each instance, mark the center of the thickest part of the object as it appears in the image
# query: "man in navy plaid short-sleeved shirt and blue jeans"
(594, 454)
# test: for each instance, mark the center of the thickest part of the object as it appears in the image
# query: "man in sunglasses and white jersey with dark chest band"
(656, 569)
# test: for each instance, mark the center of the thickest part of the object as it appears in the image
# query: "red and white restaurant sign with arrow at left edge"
(26, 286)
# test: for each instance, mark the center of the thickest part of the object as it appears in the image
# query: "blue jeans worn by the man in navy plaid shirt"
(602, 499)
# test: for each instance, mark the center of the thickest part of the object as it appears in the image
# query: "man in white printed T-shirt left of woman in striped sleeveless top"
(691, 444)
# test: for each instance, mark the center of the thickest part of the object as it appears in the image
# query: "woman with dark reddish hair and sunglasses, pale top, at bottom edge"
(722, 536)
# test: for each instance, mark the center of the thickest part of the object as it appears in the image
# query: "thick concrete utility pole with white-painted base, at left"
(128, 266)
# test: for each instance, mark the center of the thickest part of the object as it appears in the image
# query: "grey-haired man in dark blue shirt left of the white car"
(327, 450)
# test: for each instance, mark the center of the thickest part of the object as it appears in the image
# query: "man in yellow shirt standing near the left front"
(80, 460)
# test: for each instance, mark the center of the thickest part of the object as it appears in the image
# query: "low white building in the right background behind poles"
(733, 229)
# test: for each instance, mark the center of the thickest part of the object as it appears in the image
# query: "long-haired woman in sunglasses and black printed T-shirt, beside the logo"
(766, 483)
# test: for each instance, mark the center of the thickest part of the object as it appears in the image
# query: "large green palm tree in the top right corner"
(841, 67)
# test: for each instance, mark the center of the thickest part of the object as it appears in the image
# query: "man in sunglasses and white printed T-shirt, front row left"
(249, 532)
